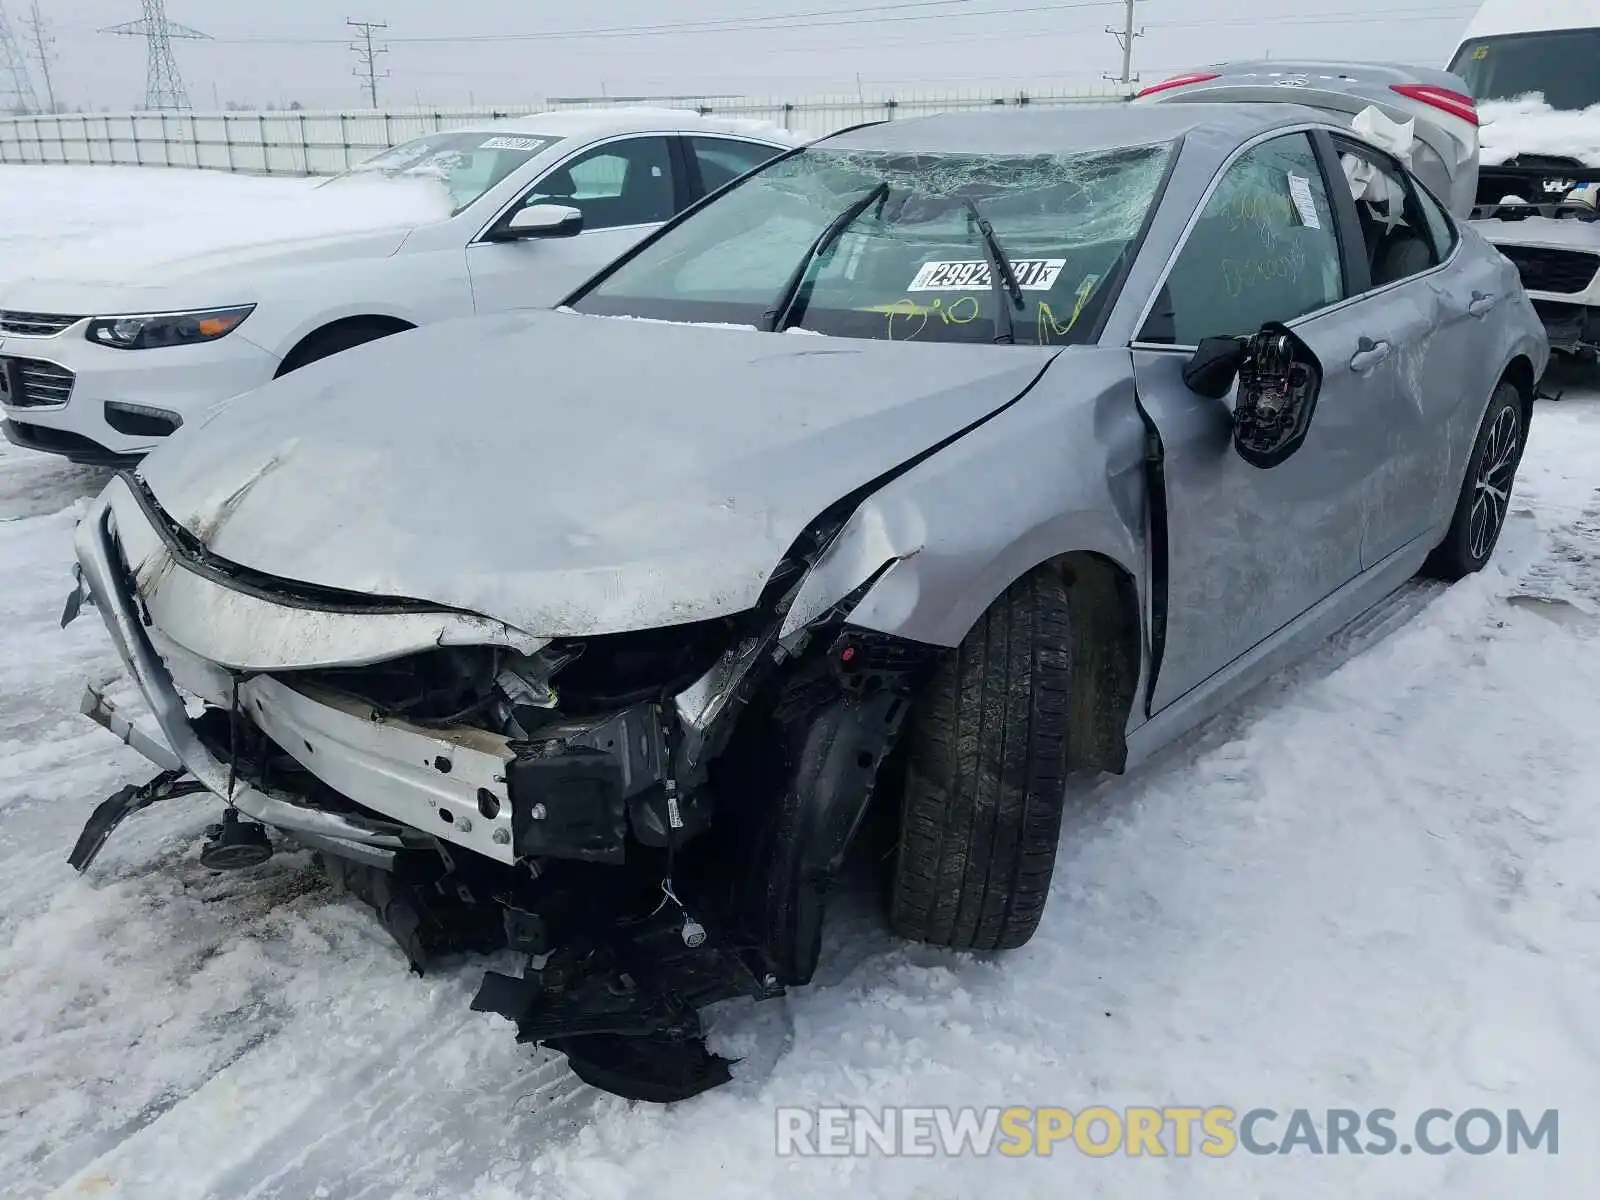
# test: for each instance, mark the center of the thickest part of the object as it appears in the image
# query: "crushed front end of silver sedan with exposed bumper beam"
(654, 818)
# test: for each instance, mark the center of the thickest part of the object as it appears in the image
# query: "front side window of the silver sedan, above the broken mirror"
(1263, 250)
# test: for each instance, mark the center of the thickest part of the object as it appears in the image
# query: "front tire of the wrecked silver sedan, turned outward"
(986, 774)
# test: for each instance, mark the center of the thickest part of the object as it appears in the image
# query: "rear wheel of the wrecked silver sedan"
(1486, 492)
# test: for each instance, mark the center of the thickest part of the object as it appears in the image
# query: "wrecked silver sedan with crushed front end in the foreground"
(862, 506)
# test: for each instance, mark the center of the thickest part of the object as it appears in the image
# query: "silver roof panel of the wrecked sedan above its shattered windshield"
(1073, 129)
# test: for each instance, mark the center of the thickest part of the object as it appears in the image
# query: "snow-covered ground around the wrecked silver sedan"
(1375, 886)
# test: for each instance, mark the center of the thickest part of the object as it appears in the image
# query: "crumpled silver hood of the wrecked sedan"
(566, 474)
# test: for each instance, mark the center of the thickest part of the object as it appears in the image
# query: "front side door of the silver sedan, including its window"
(1252, 550)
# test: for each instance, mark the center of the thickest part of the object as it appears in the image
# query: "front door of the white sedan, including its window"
(625, 188)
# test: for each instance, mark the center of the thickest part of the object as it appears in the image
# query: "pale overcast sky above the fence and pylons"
(286, 50)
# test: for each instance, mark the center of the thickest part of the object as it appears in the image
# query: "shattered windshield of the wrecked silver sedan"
(914, 263)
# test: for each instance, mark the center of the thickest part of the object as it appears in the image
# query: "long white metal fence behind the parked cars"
(326, 143)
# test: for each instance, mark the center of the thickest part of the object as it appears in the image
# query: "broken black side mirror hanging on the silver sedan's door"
(1279, 383)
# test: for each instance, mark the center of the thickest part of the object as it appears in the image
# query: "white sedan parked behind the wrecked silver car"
(113, 345)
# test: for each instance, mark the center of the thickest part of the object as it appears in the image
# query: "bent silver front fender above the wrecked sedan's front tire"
(1060, 471)
